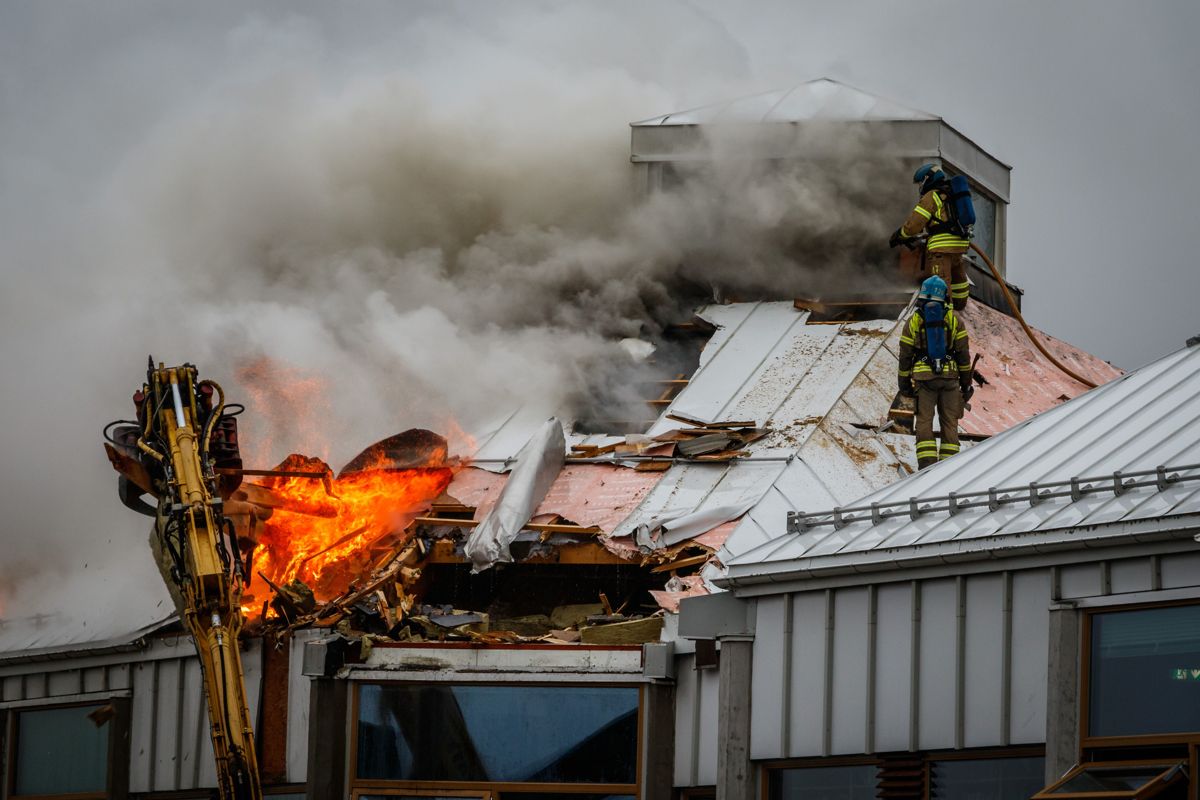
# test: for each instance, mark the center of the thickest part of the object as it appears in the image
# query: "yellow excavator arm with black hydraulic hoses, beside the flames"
(181, 452)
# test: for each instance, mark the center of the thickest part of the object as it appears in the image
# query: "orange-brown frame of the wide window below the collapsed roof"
(490, 789)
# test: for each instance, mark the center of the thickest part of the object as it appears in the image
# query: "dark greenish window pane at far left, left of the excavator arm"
(61, 751)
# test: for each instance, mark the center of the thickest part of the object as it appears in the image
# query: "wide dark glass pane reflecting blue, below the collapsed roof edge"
(555, 735)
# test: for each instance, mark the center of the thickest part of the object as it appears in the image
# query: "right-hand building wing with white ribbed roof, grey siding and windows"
(1016, 621)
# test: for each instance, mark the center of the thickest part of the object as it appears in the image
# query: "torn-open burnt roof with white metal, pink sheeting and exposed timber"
(788, 411)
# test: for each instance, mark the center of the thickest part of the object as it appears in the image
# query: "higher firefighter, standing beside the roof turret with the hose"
(944, 248)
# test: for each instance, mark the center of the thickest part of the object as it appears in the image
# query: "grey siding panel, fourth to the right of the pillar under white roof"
(893, 667)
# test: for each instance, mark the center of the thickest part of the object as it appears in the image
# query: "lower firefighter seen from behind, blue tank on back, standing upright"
(935, 368)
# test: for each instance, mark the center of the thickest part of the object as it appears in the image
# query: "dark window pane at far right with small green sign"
(1145, 672)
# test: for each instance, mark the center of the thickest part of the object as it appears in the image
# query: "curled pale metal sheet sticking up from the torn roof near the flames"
(538, 465)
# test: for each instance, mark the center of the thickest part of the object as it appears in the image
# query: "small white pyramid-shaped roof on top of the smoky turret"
(814, 100)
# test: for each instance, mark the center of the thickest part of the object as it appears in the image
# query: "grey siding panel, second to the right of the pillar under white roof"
(806, 713)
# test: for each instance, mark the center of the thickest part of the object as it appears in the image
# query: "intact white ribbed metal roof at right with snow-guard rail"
(1047, 483)
